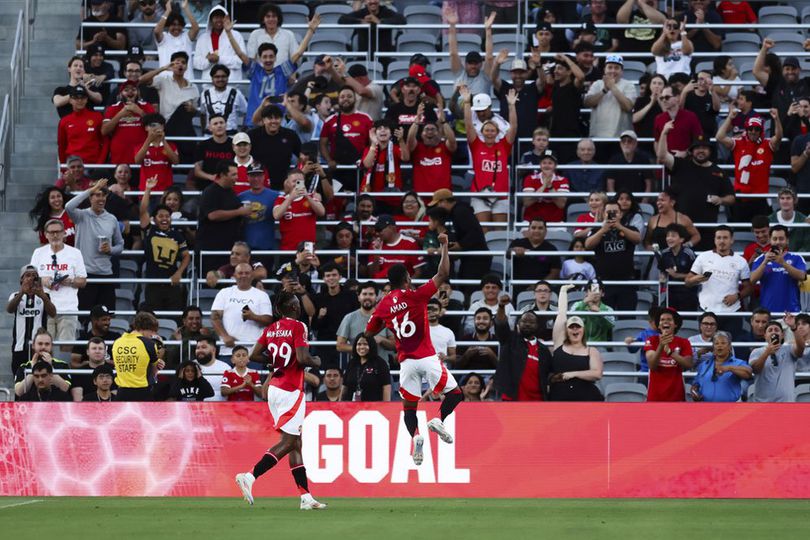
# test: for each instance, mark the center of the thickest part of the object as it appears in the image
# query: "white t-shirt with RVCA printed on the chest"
(231, 301)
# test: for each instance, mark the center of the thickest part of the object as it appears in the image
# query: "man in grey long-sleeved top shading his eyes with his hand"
(98, 237)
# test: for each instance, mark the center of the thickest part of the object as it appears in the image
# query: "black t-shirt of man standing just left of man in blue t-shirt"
(218, 235)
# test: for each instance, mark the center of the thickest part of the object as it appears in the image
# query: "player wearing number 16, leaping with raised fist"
(404, 312)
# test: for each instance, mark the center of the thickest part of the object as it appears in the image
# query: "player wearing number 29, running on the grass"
(285, 342)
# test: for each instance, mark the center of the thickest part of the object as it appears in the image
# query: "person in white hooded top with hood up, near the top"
(215, 46)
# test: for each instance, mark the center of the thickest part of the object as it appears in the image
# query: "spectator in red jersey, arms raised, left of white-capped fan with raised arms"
(432, 154)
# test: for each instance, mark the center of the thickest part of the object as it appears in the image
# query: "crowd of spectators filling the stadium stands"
(181, 133)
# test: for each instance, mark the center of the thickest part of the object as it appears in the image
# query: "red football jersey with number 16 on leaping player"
(405, 314)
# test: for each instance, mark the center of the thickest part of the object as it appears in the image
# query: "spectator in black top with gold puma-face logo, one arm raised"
(166, 254)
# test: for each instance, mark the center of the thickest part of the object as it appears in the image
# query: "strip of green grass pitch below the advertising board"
(386, 519)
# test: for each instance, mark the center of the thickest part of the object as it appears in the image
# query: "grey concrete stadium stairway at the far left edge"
(33, 163)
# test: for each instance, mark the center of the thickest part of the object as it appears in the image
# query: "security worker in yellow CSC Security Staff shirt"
(134, 354)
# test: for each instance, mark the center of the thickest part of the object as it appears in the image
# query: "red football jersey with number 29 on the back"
(281, 339)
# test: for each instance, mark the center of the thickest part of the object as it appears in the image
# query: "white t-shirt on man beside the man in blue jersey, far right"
(727, 272)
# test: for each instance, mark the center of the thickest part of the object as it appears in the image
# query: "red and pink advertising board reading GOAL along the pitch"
(363, 450)
